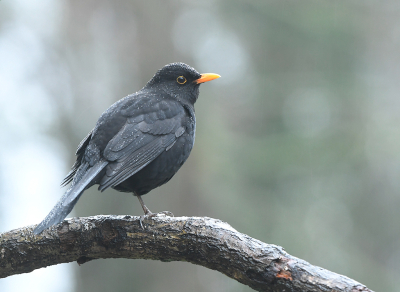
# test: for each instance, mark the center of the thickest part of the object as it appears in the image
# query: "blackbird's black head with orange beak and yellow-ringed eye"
(180, 81)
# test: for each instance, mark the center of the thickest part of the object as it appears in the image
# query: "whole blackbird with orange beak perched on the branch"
(139, 143)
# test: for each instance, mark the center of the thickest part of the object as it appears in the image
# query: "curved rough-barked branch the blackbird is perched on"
(202, 241)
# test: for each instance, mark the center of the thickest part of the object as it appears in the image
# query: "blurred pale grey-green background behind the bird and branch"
(296, 145)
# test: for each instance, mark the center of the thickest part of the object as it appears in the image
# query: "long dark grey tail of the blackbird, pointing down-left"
(84, 179)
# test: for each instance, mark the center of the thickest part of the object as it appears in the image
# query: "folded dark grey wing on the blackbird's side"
(142, 140)
